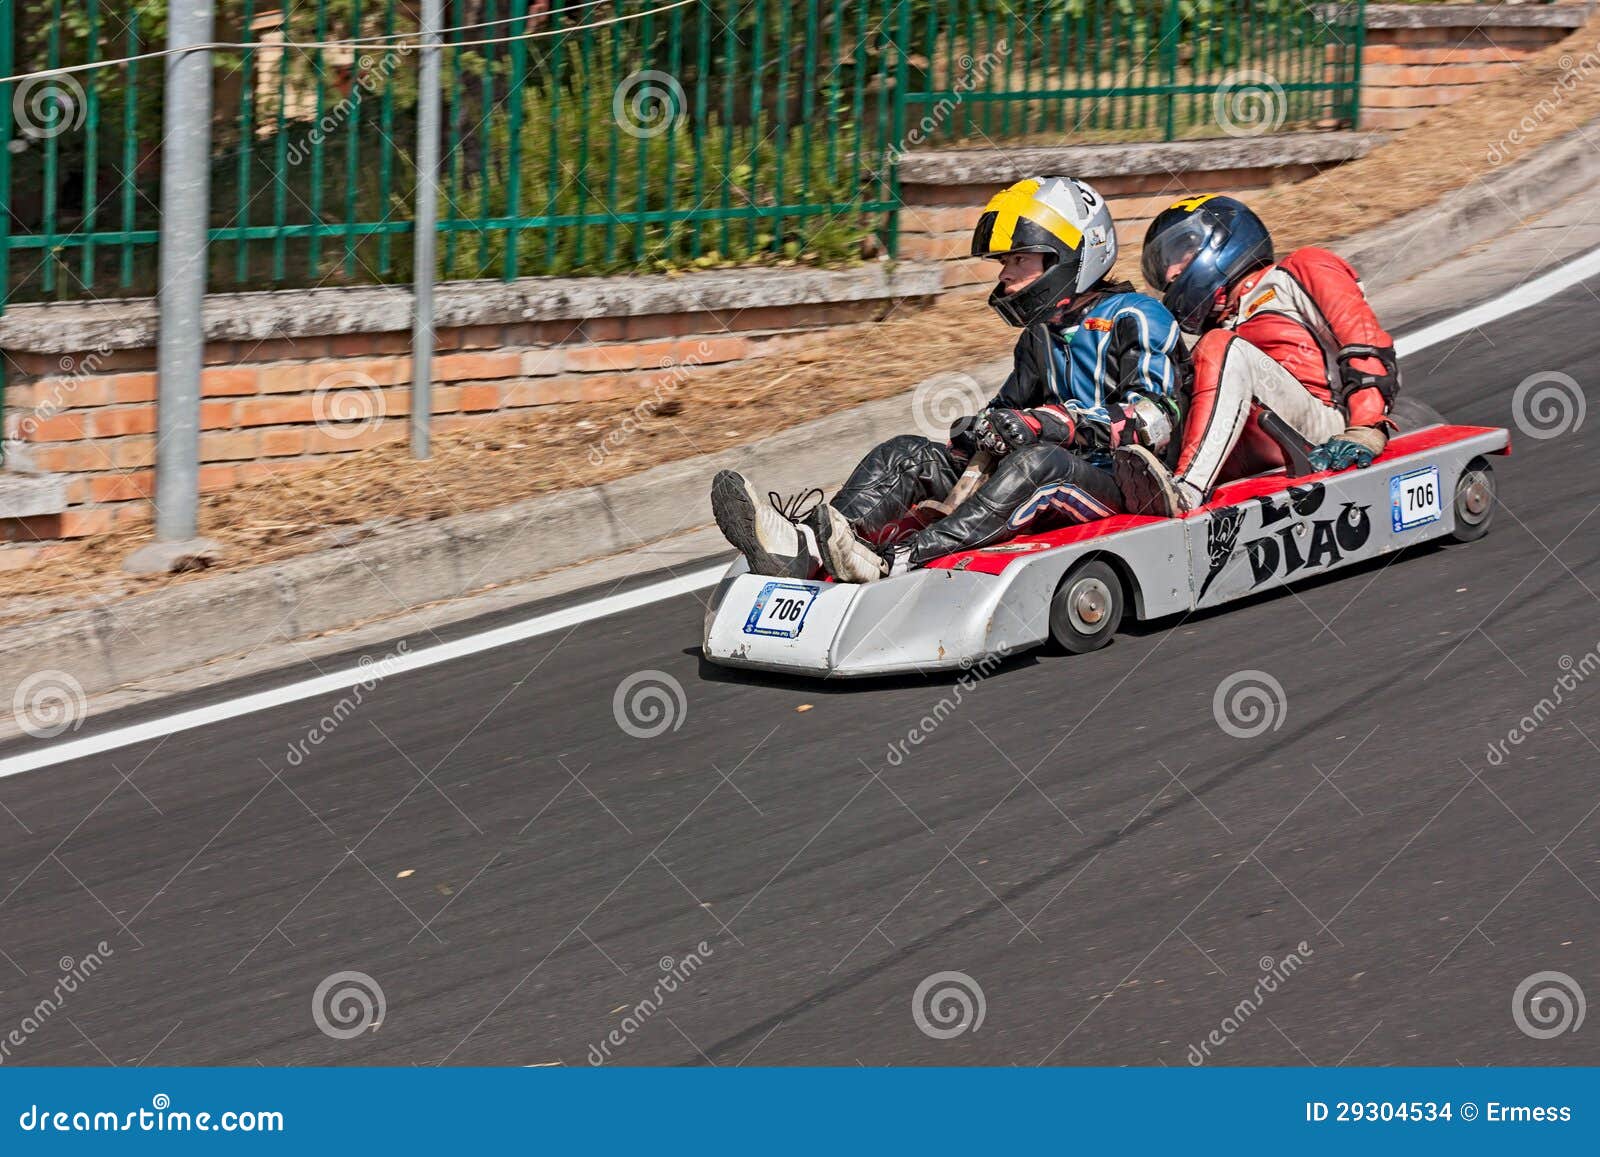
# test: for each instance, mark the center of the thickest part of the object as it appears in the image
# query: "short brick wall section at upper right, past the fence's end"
(1420, 58)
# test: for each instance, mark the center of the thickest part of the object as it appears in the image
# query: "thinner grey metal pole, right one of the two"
(428, 102)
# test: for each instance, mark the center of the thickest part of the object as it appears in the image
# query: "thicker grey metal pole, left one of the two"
(186, 180)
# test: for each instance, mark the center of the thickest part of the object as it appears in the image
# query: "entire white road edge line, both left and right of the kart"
(1540, 289)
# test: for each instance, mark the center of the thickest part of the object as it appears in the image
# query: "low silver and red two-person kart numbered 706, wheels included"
(1073, 587)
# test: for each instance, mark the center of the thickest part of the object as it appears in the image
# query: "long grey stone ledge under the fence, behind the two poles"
(132, 324)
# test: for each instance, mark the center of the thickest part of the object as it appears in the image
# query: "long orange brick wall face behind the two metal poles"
(290, 404)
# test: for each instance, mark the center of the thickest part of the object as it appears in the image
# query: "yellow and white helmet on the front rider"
(1058, 217)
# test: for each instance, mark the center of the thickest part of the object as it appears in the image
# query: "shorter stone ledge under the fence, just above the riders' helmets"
(966, 167)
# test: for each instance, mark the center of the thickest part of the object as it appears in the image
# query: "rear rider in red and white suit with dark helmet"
(1295, 337)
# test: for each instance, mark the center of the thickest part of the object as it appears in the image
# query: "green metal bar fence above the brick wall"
(596, 137)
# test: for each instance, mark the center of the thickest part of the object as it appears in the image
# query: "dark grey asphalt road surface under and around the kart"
(1078, 836)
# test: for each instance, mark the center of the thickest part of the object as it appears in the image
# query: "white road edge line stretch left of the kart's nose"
(340, 681)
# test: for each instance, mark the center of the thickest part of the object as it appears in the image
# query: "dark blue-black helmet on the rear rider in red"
(1212, 242)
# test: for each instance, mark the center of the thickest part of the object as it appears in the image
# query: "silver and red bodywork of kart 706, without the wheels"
(942, 619)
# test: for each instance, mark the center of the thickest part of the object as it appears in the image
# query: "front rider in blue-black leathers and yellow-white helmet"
(1097, 367)
